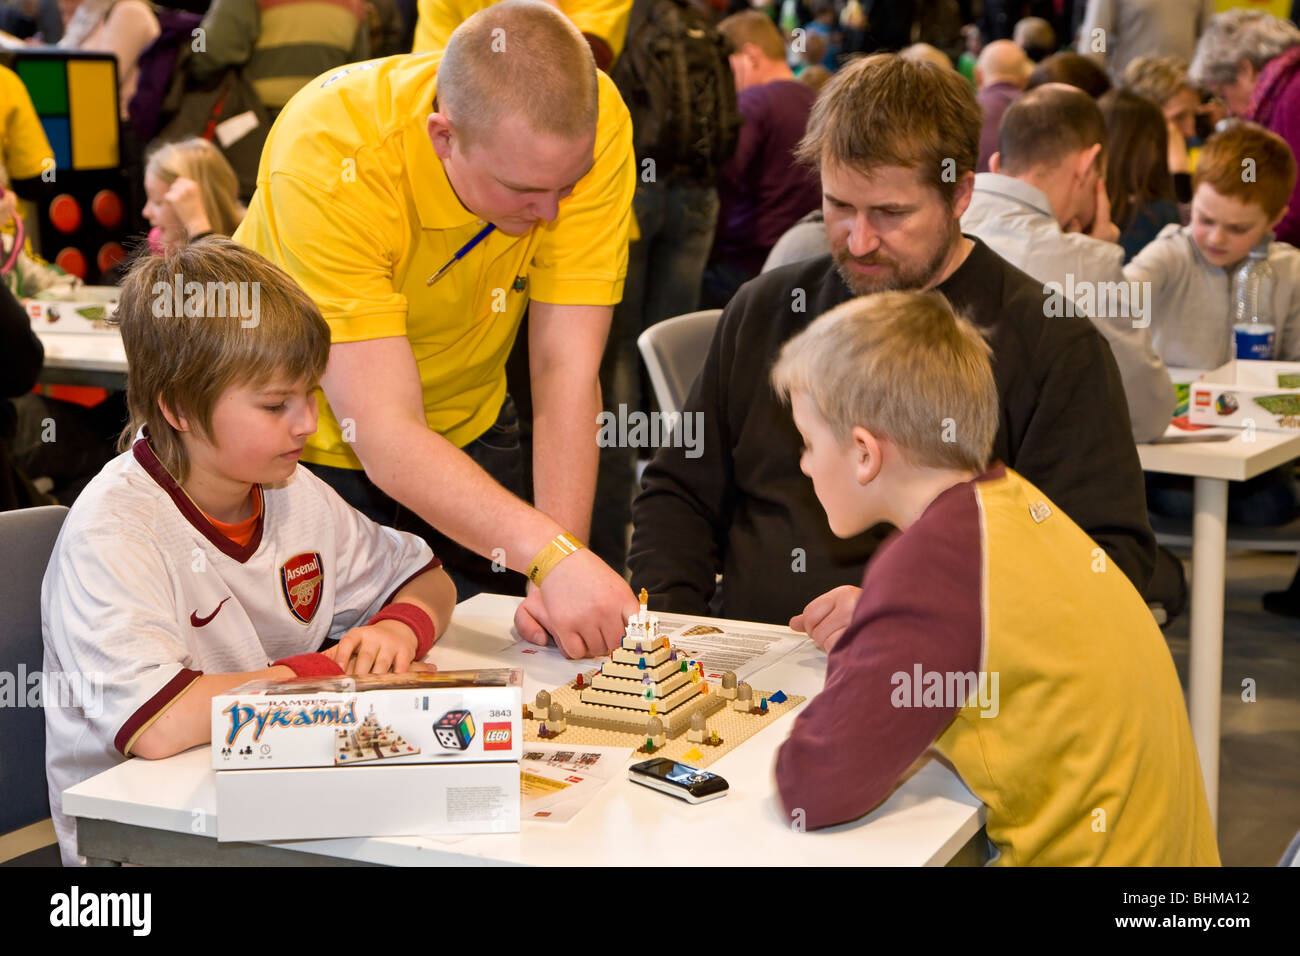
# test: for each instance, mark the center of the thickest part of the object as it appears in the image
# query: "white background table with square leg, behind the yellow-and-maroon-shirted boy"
(1214, 465)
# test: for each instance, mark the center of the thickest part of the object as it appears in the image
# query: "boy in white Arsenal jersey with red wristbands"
(205, 556)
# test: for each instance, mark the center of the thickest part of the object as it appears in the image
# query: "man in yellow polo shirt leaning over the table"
(423, 202)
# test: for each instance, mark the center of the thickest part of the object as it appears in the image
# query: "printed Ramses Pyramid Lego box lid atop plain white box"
(443, 717)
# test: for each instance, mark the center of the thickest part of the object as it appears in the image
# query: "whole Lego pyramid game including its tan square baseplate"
(653, 697)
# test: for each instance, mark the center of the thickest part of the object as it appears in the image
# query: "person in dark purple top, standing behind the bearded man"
(762, 191)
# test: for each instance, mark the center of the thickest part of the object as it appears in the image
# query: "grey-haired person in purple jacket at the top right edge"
(1251, 60)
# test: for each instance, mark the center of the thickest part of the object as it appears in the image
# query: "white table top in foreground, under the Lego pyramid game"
(925, 823)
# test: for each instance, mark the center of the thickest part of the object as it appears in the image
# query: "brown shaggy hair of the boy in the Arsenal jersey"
(189, 336)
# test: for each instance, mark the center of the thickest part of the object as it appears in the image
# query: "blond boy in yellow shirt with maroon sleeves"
(991, 629)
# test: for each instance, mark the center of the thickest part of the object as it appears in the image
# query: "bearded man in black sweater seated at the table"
(896, 144)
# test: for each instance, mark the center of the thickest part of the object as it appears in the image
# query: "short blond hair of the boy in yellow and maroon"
(903, 366)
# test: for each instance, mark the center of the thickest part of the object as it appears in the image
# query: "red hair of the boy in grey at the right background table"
(1267, 180)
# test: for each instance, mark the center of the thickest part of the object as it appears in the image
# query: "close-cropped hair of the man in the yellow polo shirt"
(519, 58)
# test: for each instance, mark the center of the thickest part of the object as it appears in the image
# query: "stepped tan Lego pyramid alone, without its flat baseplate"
(645, 680)
